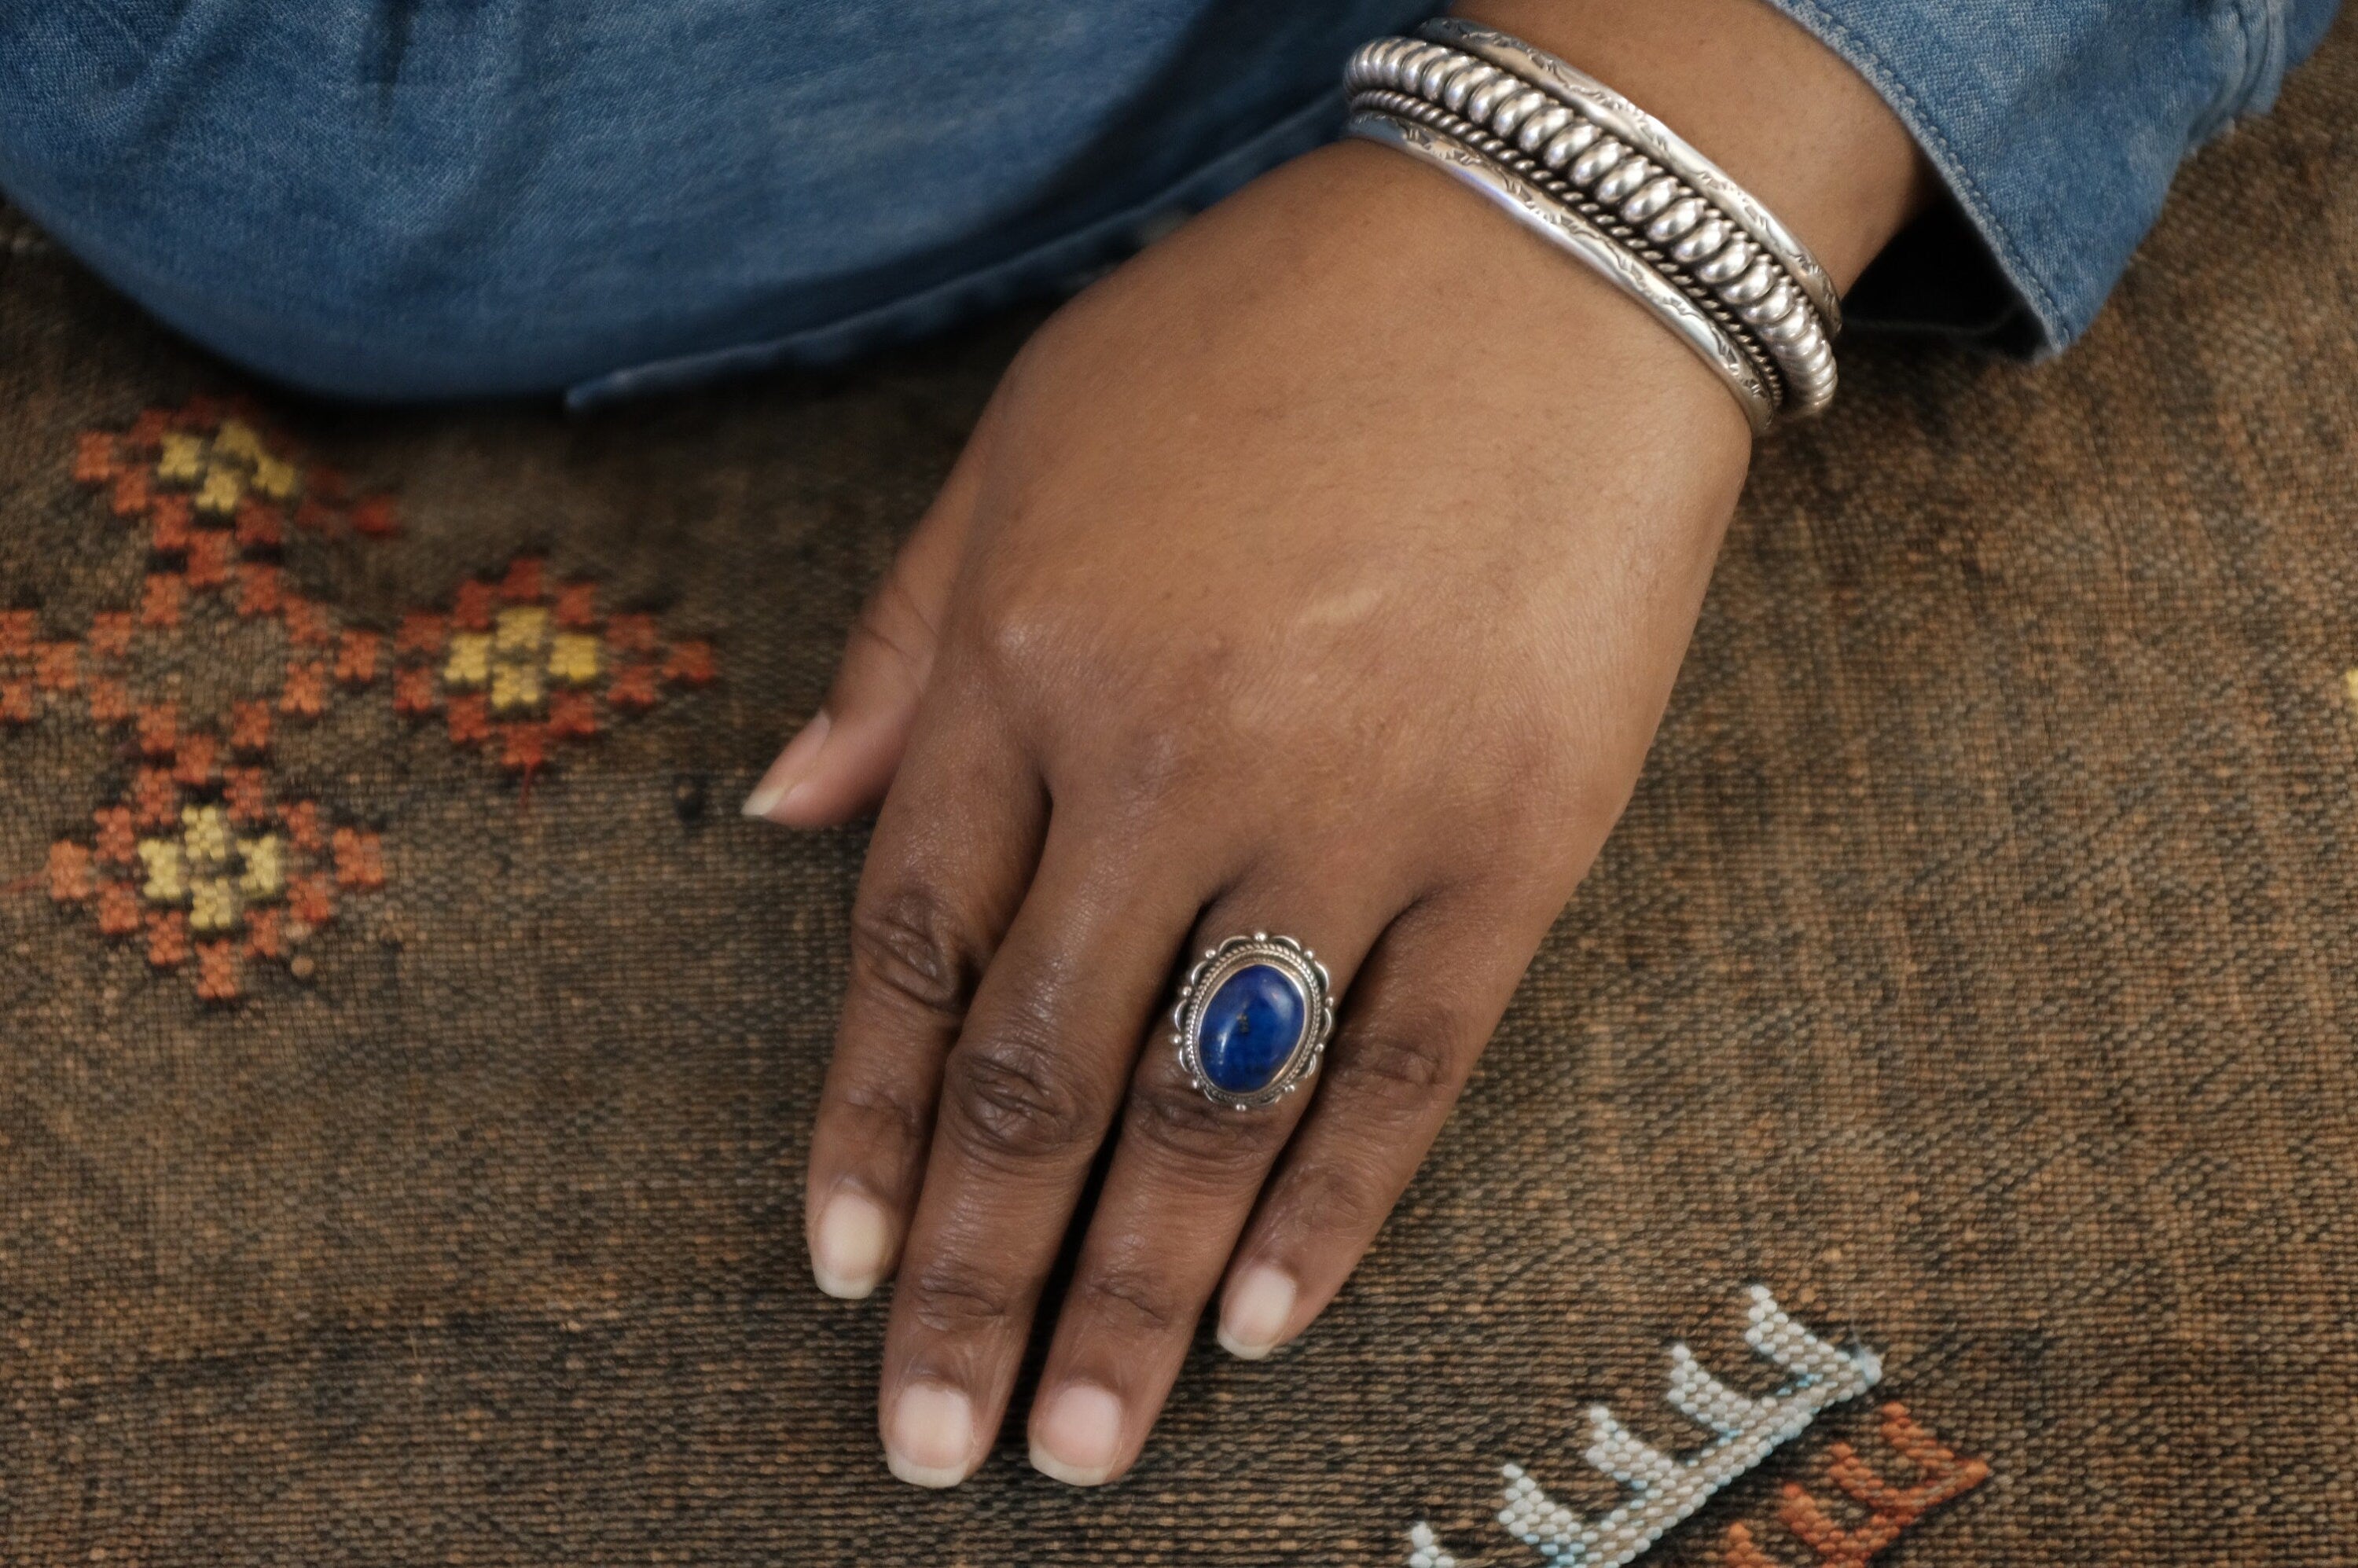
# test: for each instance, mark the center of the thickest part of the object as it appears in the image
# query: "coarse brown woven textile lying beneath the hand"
(1977, 968)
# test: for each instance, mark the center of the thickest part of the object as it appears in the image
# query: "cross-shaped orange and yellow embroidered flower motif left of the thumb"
(202, 859)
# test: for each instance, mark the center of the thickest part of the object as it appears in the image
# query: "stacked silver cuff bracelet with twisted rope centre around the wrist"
(1600, 178)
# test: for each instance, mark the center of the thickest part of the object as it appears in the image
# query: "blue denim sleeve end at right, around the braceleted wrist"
(2057, 129)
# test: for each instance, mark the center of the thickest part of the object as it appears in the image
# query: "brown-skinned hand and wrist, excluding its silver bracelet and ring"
(1322, 572)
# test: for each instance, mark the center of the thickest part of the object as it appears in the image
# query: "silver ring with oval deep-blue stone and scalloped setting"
(1253, 1020)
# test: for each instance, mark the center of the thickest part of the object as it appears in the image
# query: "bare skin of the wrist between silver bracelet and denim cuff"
(1758, 95)
